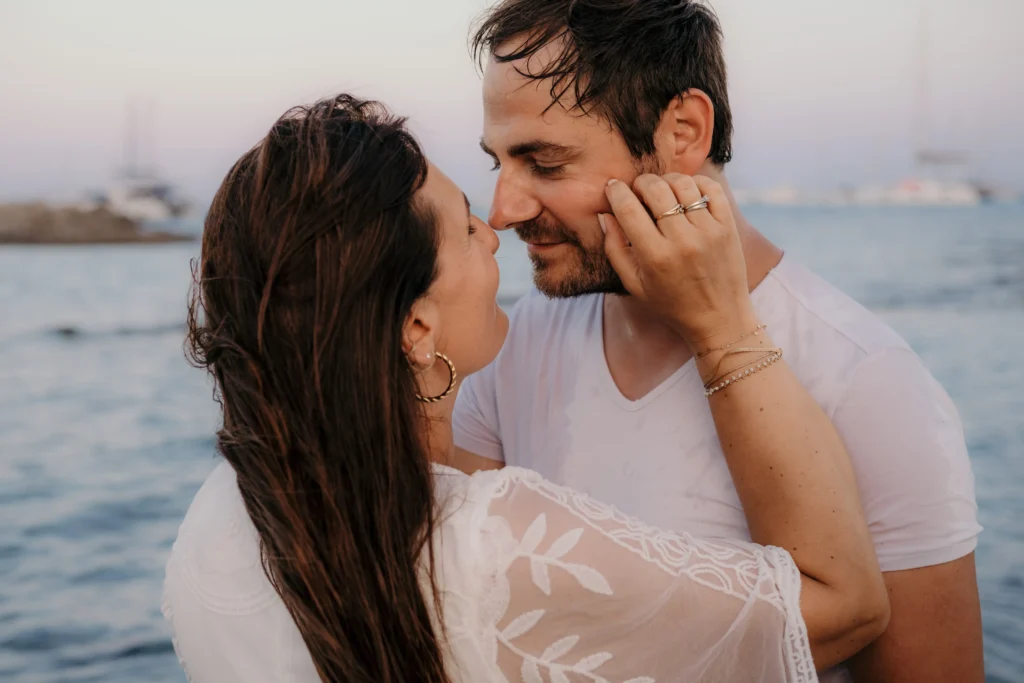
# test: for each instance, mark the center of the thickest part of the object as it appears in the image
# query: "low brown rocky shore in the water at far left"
(41, 224)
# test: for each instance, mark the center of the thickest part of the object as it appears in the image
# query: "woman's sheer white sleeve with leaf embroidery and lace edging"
(577, 591)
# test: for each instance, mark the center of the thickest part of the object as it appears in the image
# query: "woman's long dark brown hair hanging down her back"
(314, 252)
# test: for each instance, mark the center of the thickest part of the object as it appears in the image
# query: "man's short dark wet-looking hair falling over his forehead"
(623, 60)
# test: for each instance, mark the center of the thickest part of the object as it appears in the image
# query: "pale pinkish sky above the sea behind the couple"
(823, 92)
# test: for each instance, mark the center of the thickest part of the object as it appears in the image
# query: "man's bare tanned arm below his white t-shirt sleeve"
(934, 632)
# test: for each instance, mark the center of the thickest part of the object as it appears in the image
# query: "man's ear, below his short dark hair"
(687, 132)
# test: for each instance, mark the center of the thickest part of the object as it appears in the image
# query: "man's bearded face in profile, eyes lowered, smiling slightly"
(554, 166)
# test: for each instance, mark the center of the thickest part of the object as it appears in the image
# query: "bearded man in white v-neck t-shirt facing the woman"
(595, 392)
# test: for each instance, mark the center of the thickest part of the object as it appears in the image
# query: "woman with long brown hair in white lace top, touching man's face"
(344, 286)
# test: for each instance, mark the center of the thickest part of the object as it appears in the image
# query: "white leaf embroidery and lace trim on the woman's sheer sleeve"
(724, 567)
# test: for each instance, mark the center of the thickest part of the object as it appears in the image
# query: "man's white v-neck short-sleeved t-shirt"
(548, 403)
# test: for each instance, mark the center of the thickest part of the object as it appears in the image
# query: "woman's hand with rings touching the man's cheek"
(688, 268)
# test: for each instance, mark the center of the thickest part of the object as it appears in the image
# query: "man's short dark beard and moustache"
(584, 271)
